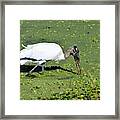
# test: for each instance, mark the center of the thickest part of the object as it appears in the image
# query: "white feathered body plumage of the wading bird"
(41, 52)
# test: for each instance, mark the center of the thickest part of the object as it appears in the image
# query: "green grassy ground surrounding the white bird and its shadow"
(58, 84)
